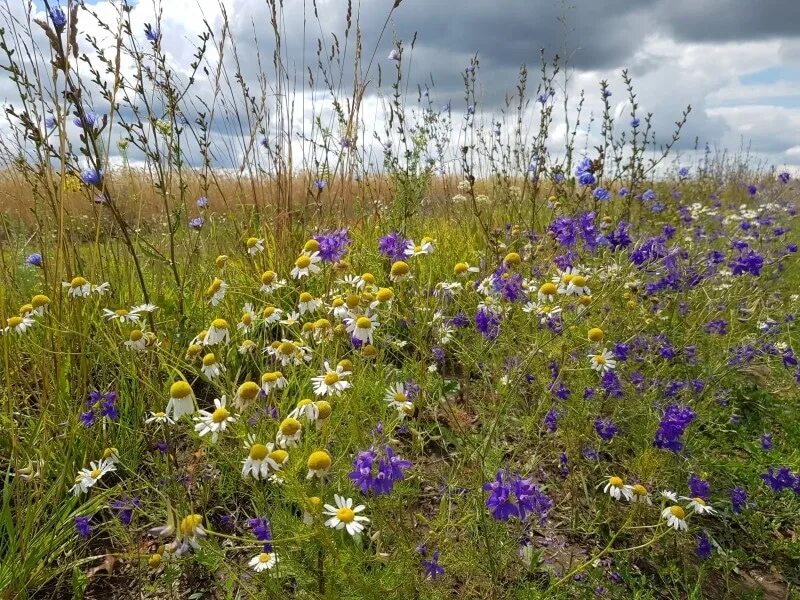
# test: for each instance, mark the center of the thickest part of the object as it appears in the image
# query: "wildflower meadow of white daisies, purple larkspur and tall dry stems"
(251, 350)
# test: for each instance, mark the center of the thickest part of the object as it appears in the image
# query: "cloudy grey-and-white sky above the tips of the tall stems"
(737, 62)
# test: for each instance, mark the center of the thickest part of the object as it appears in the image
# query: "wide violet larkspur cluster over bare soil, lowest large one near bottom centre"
(516, 497)
